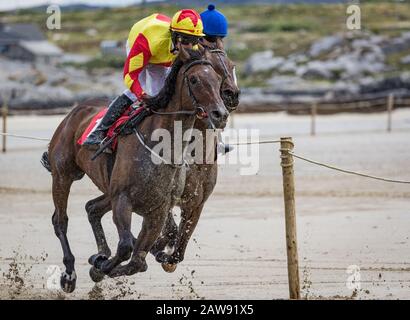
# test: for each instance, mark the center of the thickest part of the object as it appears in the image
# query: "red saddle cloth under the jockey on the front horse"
(130, 112)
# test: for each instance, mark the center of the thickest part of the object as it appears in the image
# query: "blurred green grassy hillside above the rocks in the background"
(283, 28)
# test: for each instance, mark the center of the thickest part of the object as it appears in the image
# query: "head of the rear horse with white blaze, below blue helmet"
(215, 53)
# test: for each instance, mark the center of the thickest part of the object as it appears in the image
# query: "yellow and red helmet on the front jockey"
(187, 21)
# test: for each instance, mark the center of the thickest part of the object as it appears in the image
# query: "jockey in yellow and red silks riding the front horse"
(151, 49)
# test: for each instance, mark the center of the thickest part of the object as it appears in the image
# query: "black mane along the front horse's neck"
(161, 100)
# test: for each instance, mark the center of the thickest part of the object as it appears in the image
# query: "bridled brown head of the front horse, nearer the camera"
(200, 87)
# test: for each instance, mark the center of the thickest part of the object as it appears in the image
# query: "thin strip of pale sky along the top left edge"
(17, 4)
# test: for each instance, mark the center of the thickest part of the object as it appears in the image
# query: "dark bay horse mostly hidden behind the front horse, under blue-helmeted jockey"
(201, 178)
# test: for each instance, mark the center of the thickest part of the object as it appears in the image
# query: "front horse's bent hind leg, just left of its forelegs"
(96, 209)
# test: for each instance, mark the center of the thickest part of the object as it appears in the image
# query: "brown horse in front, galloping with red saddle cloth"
(132, 182)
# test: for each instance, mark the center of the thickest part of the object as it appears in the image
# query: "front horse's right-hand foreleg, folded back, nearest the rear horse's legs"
(150, 231)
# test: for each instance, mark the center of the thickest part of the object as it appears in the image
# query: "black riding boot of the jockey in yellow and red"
(115, 110)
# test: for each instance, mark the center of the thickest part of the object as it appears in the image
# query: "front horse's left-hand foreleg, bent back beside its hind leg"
(122, 211)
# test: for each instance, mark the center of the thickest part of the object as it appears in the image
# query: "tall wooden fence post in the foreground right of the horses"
(286, 145)
